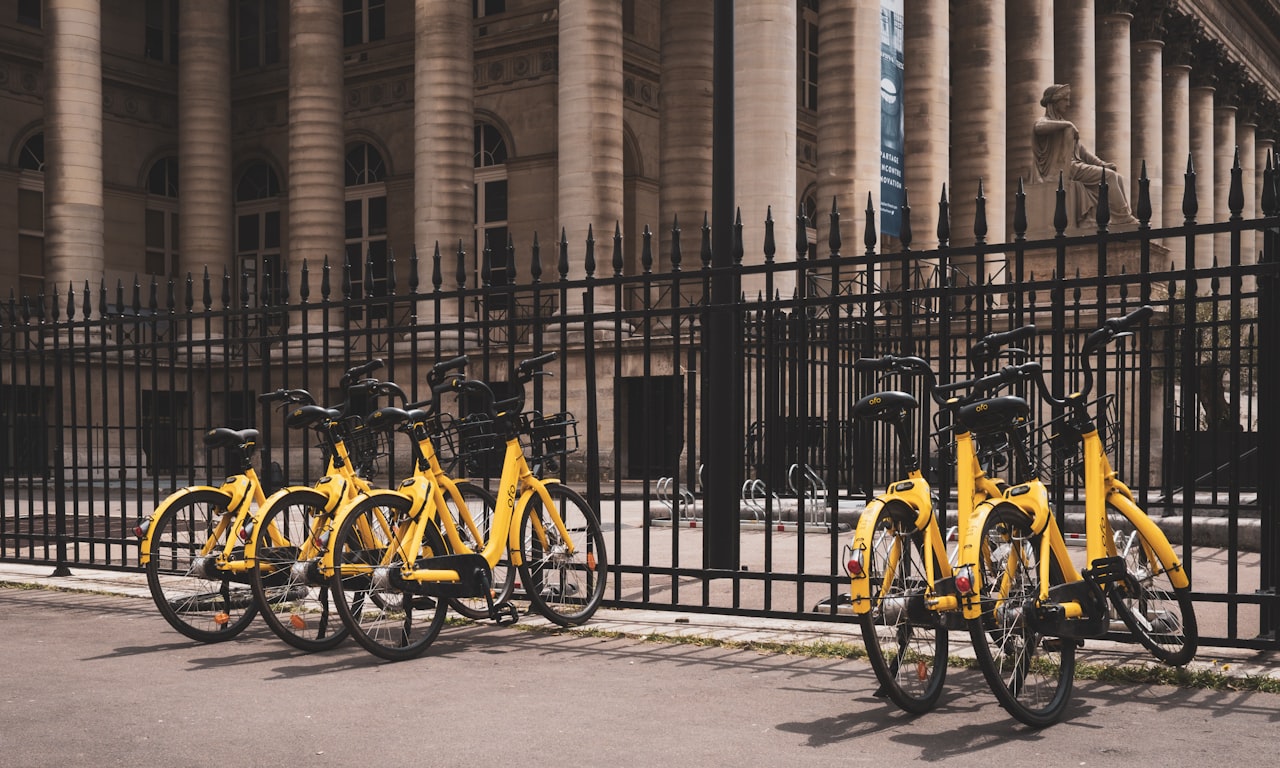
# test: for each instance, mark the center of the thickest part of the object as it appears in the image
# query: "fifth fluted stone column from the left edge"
(591, 127)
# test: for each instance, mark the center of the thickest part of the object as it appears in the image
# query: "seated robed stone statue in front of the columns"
(1058, 149)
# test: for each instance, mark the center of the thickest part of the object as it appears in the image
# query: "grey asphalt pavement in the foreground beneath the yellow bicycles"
(102, 680)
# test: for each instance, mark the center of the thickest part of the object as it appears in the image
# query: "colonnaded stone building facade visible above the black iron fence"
(252, 136)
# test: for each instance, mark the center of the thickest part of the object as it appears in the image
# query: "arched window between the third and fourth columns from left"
(367, 225)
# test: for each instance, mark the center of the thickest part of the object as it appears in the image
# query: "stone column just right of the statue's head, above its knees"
(1116, 93)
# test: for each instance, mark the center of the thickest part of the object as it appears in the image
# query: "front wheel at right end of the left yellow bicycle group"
(565, 588)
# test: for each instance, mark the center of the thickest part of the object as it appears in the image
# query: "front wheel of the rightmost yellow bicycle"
(1158, 614)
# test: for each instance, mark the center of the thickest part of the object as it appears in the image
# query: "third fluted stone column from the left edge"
(317, 161)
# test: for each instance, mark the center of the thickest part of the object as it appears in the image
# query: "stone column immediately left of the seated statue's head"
(1031, 71)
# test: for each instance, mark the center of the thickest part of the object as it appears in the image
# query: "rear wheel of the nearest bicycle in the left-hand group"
(387, 618)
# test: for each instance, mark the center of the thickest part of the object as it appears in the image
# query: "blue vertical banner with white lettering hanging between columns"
(893, 118)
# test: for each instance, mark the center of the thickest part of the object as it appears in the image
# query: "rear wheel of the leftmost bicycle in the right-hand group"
(906, 642)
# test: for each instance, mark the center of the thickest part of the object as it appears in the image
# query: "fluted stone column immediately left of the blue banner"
(849, 130)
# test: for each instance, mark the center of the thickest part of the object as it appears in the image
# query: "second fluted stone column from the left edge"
(205, 140)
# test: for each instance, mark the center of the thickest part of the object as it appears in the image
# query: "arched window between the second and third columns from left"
(258, 235)
